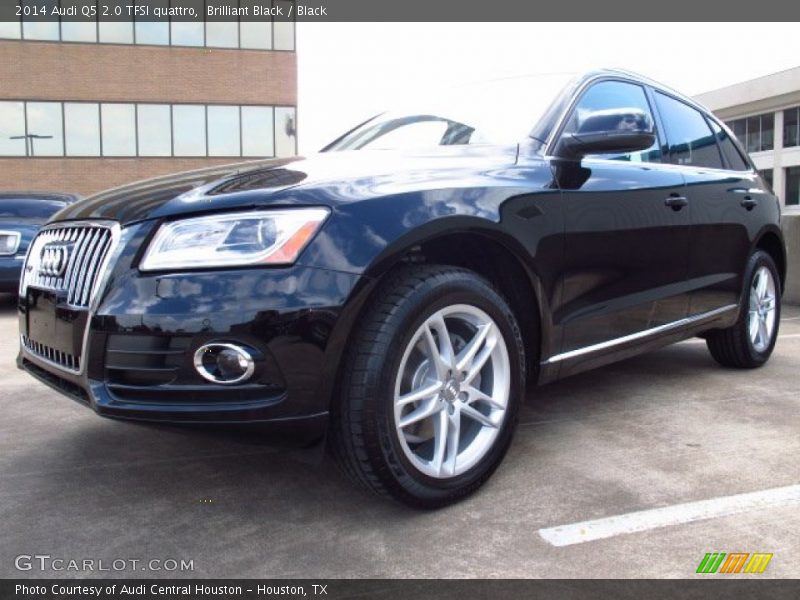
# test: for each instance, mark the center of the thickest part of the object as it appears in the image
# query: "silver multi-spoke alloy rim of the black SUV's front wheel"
(451, 391)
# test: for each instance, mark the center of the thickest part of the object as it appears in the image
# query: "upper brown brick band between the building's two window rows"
(61, 71)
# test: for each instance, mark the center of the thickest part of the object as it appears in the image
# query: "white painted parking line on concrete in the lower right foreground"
(598, 529)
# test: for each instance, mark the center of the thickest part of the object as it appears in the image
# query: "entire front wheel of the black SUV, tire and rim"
(379, 435)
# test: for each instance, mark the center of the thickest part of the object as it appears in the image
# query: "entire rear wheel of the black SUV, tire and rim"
(736, 346)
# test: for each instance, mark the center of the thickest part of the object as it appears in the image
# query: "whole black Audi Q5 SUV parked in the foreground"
(402, 300)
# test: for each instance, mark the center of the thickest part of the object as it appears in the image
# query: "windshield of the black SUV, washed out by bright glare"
(502, 111)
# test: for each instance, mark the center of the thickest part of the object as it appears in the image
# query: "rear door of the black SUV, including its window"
(726, 202)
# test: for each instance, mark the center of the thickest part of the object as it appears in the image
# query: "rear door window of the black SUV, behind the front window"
(691, 141)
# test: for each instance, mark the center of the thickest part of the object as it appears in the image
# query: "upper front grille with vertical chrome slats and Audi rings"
(67, 258)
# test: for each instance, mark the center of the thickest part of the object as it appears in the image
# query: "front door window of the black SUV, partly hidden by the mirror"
(607, 95)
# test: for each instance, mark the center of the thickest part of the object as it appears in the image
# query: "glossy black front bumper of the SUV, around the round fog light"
(137, 355)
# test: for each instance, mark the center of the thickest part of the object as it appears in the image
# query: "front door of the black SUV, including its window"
(627, 230)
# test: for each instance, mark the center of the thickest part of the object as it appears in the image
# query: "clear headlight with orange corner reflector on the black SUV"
(269, 237)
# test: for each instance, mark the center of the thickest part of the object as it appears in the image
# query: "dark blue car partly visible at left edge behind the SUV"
(21, 216)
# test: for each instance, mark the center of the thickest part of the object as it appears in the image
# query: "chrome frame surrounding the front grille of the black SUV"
(100, 283)
